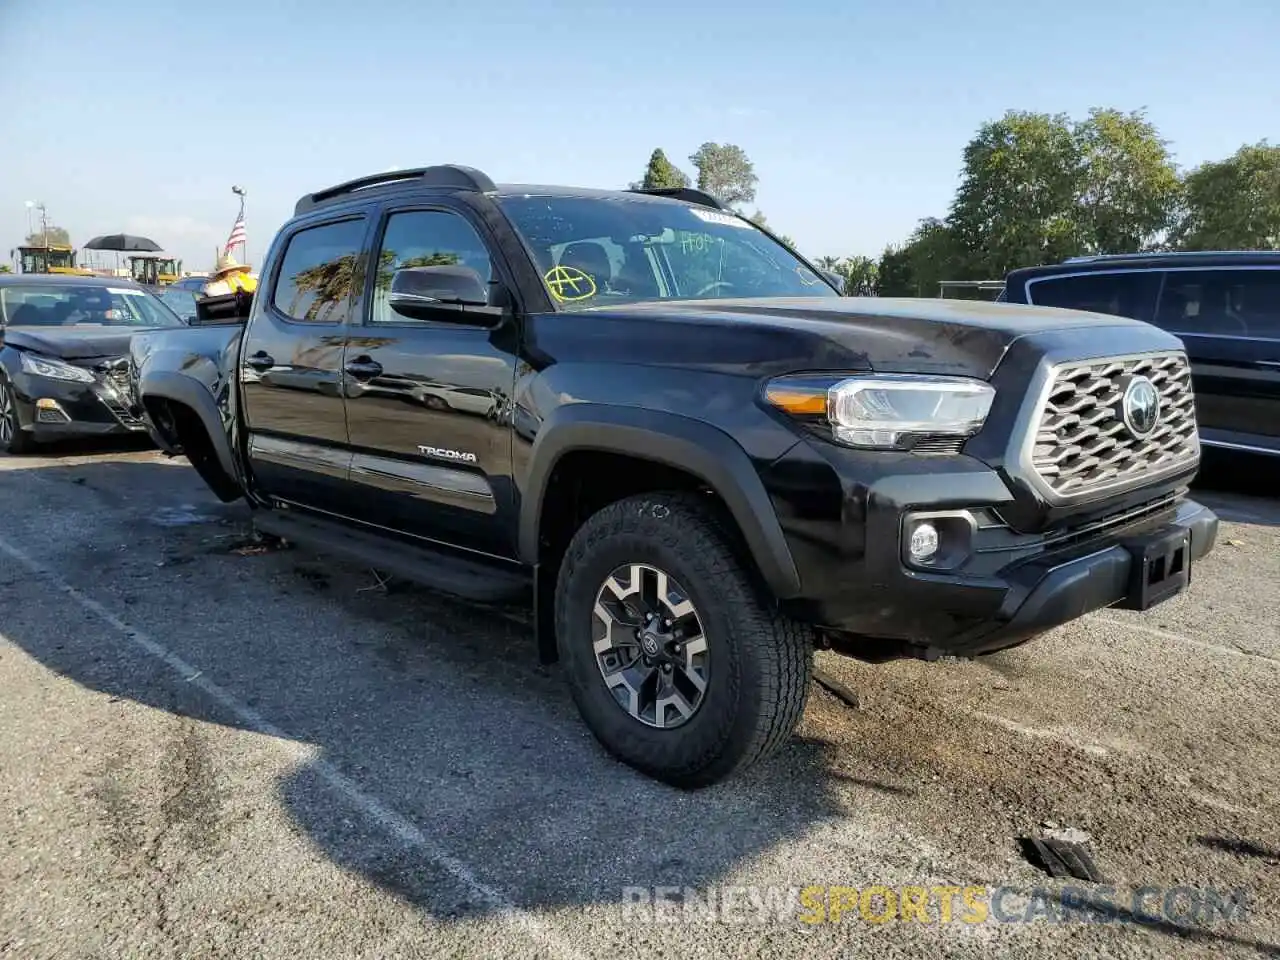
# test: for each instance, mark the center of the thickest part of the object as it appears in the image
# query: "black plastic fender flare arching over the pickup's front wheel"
(674, 441)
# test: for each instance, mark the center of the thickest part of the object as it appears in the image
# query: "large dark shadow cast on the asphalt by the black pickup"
(440, 710)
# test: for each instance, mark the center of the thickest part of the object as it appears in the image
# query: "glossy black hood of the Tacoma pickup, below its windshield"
(886, 335)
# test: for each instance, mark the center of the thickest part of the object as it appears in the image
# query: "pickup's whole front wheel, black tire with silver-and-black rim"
(675, 660)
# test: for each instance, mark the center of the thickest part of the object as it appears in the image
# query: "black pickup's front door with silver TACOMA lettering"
(427, 400)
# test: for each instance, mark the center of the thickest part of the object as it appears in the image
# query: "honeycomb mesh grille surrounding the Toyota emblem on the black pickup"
(1082, 441)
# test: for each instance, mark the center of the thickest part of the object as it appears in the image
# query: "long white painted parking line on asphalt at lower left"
(409, 835)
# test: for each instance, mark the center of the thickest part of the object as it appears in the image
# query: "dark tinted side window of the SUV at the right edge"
(1223, 303)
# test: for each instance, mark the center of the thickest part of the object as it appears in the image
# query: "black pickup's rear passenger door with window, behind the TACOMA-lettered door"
(291, 368)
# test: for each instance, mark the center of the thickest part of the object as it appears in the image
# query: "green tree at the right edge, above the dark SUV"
(1235, 204)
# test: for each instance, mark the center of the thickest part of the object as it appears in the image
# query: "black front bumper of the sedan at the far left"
(51, 409)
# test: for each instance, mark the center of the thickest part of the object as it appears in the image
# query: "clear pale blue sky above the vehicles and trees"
(856, 115)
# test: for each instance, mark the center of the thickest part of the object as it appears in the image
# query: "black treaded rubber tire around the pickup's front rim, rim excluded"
(761, 661)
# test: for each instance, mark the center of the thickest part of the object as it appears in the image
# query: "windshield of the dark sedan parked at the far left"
(63, 305)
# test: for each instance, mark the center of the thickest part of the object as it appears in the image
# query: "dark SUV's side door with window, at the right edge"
(1229, 318)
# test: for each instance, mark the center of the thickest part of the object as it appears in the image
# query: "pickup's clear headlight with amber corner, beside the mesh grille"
(885, 412)
